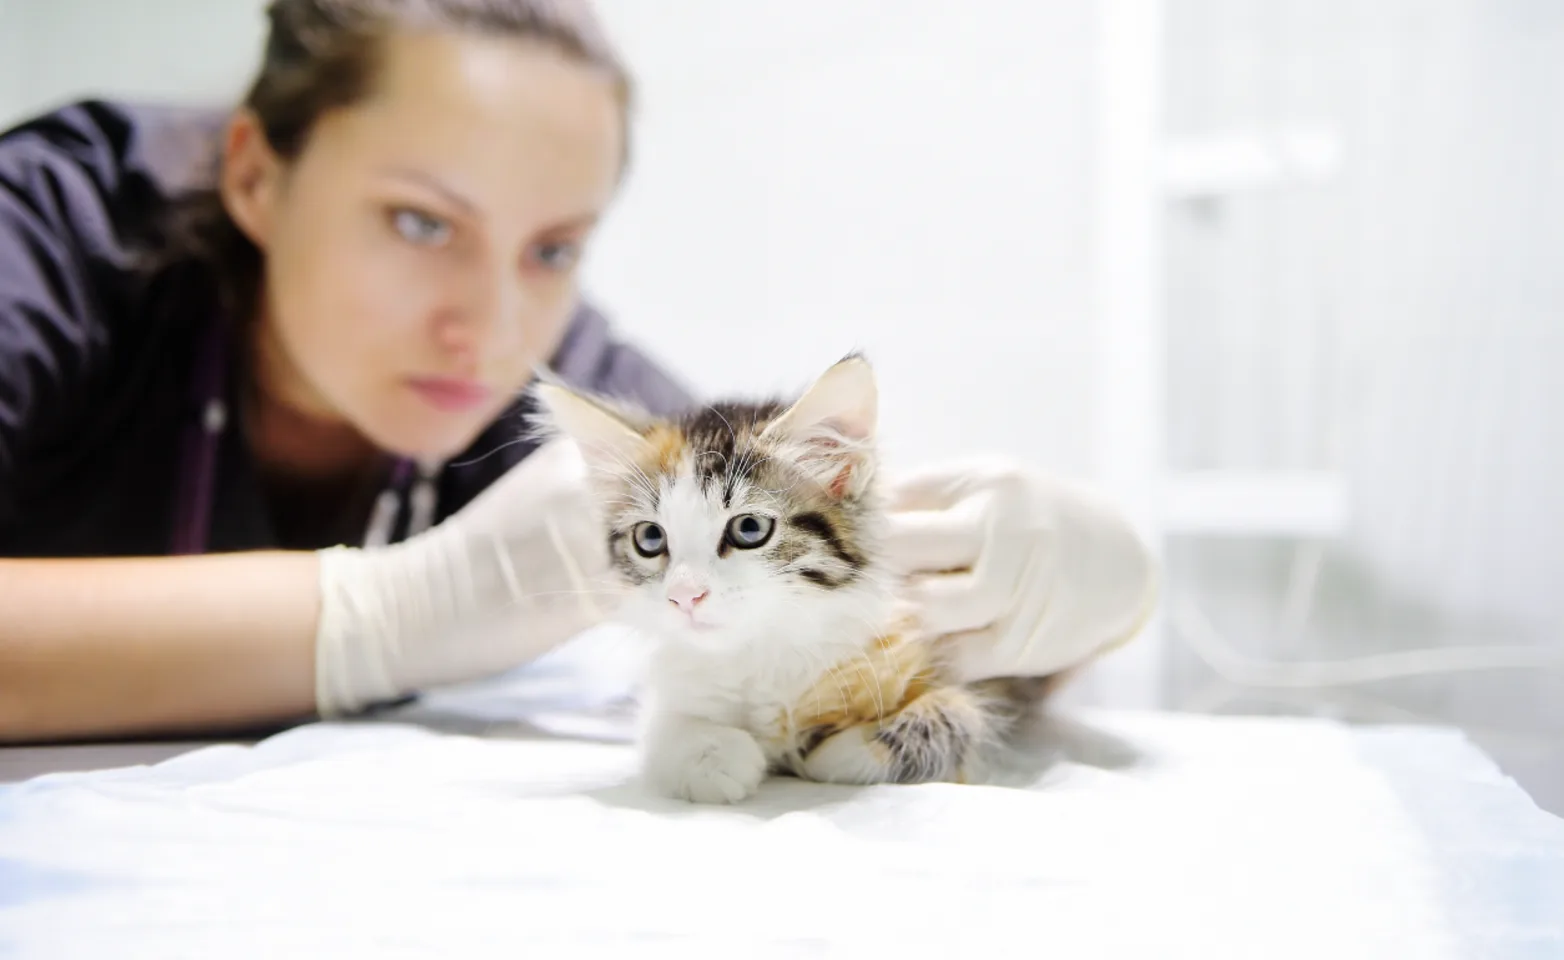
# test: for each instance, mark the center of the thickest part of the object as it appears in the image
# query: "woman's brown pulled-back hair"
(325, 56)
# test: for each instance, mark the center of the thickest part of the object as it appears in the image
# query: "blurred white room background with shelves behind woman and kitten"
(1280, 274)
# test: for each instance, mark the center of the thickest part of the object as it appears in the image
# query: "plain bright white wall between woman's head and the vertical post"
(909, 177)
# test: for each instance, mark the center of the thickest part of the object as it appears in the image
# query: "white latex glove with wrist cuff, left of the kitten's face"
(493, 587)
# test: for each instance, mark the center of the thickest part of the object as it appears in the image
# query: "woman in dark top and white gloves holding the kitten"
(217, 374)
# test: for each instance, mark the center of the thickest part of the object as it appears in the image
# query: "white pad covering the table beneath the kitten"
(504, 822)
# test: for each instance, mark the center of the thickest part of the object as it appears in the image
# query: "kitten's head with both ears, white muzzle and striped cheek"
(741, 518)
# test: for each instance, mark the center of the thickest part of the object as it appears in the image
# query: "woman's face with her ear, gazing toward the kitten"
(421, 254)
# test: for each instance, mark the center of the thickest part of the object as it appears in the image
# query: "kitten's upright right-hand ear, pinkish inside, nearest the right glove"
(833, 428)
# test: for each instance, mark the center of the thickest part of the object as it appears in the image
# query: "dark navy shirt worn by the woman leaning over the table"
(98, 353)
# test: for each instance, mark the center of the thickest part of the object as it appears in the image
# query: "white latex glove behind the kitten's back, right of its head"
(1027, 575)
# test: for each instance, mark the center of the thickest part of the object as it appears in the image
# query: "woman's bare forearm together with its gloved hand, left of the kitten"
(129, 648)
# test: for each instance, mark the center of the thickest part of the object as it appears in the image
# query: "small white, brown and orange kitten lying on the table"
(748, 536)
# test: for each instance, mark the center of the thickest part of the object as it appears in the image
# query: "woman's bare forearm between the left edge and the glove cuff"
(156, 647)
